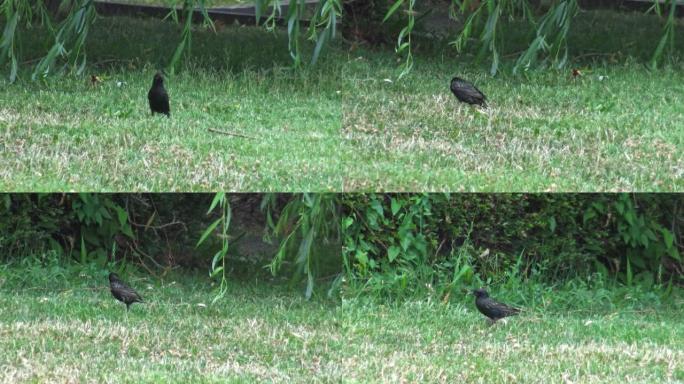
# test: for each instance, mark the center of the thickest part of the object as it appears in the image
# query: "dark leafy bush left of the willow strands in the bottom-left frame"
(101, 228)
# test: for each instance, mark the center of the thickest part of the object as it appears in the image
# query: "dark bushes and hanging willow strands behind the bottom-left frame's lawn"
(160, 231)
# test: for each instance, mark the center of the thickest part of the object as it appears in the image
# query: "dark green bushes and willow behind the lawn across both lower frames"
(393, 246)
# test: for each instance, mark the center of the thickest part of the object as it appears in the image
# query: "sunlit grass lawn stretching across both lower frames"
(80, 333)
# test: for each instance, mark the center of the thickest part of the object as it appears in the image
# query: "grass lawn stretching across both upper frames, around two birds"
(348, 124)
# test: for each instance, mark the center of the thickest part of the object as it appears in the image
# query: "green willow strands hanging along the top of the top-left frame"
(69, 26)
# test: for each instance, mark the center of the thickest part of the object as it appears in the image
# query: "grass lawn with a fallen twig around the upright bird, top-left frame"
(65, 134)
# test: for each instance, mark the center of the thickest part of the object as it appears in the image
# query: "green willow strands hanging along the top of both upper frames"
(550, 41)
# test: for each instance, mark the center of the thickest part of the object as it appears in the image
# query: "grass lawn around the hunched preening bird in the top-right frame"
(616, 128)
